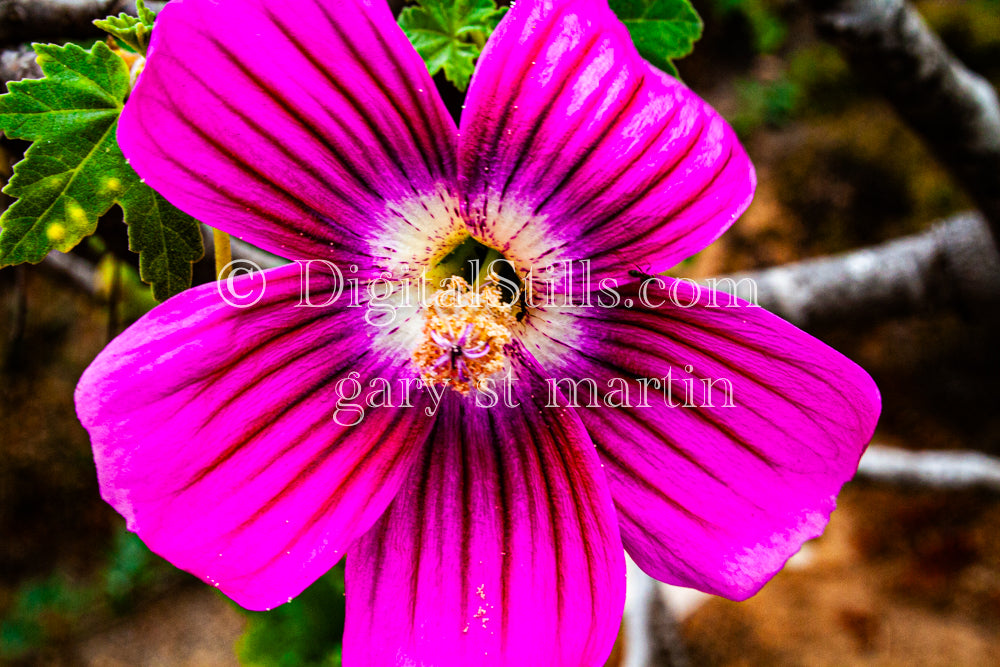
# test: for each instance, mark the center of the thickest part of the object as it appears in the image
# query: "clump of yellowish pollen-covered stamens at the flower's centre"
(464, 335)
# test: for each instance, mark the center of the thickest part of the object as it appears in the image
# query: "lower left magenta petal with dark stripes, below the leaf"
(216, 433)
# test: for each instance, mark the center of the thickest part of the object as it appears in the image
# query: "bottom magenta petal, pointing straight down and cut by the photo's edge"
(502, 548)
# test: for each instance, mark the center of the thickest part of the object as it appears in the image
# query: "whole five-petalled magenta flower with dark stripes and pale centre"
(473, 535)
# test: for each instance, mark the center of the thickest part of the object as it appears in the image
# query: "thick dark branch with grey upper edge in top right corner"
(953, 109)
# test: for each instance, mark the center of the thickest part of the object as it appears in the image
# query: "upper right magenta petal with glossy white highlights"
(573, 147)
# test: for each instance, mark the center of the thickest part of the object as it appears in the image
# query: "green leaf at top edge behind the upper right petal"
(663, 30)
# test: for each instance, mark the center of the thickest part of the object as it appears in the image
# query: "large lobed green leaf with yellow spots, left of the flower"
(74, 171)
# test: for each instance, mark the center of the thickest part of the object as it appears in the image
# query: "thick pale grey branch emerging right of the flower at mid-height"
(953, 263)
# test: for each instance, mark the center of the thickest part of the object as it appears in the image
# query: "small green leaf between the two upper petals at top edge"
(450, 34)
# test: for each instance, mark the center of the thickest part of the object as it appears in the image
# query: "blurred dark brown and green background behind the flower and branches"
(908, 572)
